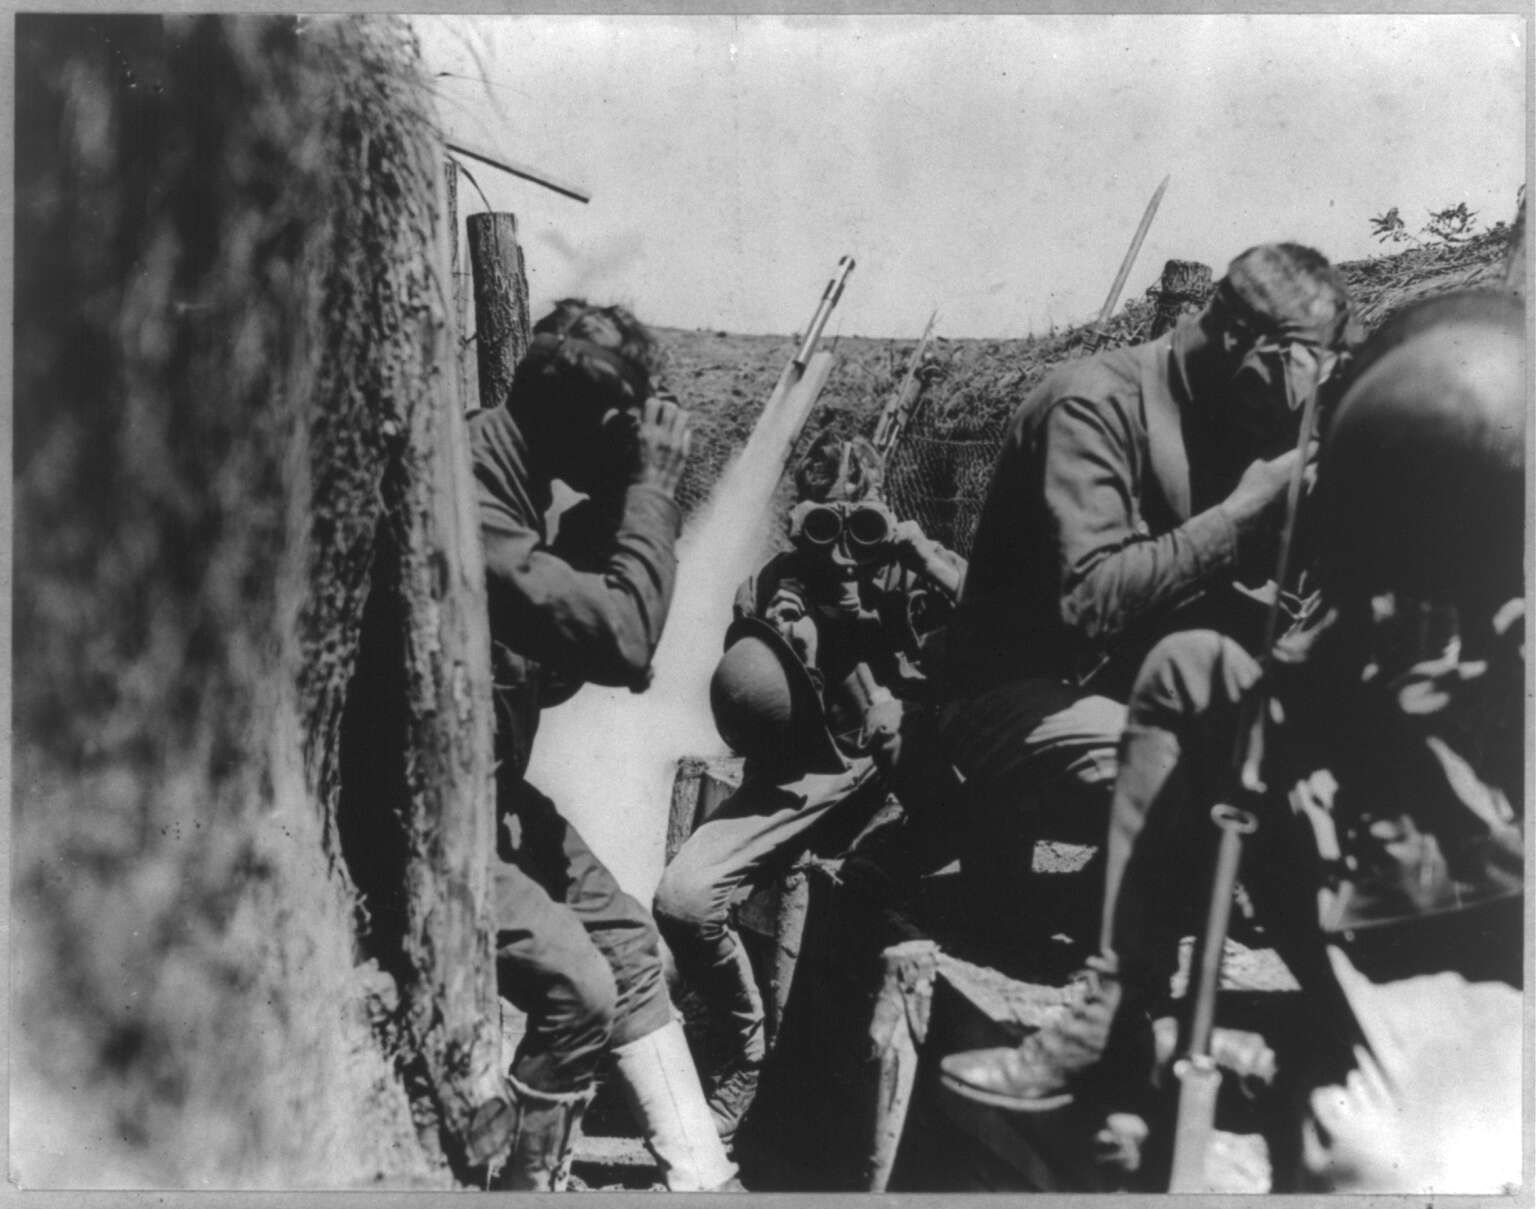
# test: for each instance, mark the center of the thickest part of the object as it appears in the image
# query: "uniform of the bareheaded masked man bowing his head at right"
(1102, 532)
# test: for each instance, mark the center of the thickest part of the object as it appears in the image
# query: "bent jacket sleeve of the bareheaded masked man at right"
(1113, 572)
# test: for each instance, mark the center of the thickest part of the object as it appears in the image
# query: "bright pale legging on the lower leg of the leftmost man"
(661, 1085)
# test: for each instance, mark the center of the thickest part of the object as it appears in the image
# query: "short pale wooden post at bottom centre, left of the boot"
(899, 1027)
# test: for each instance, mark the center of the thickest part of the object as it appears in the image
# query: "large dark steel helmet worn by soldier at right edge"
(1422, 480)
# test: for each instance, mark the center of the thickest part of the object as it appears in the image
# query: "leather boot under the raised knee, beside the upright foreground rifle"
(1065, 1056)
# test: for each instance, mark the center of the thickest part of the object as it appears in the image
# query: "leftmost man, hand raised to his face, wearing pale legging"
(572, 949)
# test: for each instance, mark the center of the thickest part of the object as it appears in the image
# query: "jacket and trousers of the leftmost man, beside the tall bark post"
(572, 949)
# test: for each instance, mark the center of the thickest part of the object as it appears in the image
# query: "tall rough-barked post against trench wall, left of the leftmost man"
(452, 998)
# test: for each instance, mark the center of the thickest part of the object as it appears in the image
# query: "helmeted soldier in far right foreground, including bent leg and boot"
(1409, 694)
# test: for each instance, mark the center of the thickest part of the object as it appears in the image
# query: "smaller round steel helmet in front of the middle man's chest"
(766, 704)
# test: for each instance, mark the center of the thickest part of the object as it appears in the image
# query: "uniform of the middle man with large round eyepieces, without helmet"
(859, 637)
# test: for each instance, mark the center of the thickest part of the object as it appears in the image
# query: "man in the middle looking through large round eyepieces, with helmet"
(821, 689)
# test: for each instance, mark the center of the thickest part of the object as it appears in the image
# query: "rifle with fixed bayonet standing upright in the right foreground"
(1197, 1073)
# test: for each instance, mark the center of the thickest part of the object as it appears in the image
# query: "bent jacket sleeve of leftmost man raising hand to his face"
(601, 626)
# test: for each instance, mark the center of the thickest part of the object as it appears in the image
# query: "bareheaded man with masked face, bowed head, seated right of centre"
(1137, 492)
